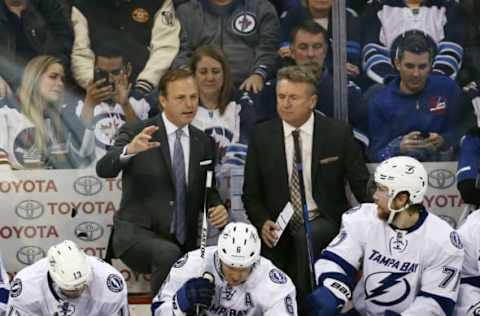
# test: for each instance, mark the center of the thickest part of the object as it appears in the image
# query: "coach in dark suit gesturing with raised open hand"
(164, 162)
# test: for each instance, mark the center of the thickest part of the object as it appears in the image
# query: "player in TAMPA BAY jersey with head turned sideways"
(409, 259)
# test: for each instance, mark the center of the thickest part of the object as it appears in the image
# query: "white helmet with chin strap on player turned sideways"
(402, 174)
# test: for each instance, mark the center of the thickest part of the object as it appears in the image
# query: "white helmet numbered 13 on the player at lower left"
(68, 266)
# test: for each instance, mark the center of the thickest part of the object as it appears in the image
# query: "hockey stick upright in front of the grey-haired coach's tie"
(308, 228)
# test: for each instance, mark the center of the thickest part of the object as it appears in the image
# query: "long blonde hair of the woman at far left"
(33, 104)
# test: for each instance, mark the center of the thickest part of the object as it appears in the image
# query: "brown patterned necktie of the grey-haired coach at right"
(295, 193)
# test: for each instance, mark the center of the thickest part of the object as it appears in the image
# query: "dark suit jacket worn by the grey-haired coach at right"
(336, 157)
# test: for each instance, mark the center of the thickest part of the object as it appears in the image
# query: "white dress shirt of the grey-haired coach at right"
(306, 137)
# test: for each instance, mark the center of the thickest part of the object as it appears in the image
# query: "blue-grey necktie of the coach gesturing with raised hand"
(180, 187)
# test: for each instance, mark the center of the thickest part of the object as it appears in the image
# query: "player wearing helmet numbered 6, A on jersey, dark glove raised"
(237, 280)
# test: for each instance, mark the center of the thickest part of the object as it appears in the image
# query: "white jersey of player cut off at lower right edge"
(469, 295)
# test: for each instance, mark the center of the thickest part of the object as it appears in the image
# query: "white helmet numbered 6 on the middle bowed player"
(239, 245)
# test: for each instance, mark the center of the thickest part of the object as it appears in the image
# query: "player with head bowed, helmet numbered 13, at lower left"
(68, 283)
